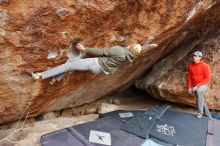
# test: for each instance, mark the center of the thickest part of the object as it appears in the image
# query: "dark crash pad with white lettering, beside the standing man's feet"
(181, 128)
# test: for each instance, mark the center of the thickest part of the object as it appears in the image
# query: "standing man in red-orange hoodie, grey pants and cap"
(198, 79)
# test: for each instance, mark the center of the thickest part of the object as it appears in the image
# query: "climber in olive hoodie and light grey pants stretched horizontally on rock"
(104, 60)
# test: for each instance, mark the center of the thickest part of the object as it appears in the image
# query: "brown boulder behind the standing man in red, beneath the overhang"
(168, 78)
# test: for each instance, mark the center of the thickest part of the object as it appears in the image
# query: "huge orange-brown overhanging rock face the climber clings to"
(29, 30)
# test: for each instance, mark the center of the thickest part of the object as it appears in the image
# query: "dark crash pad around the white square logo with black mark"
(81, 134)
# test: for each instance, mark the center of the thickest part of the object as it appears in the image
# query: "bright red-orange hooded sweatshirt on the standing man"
(198, 74)
